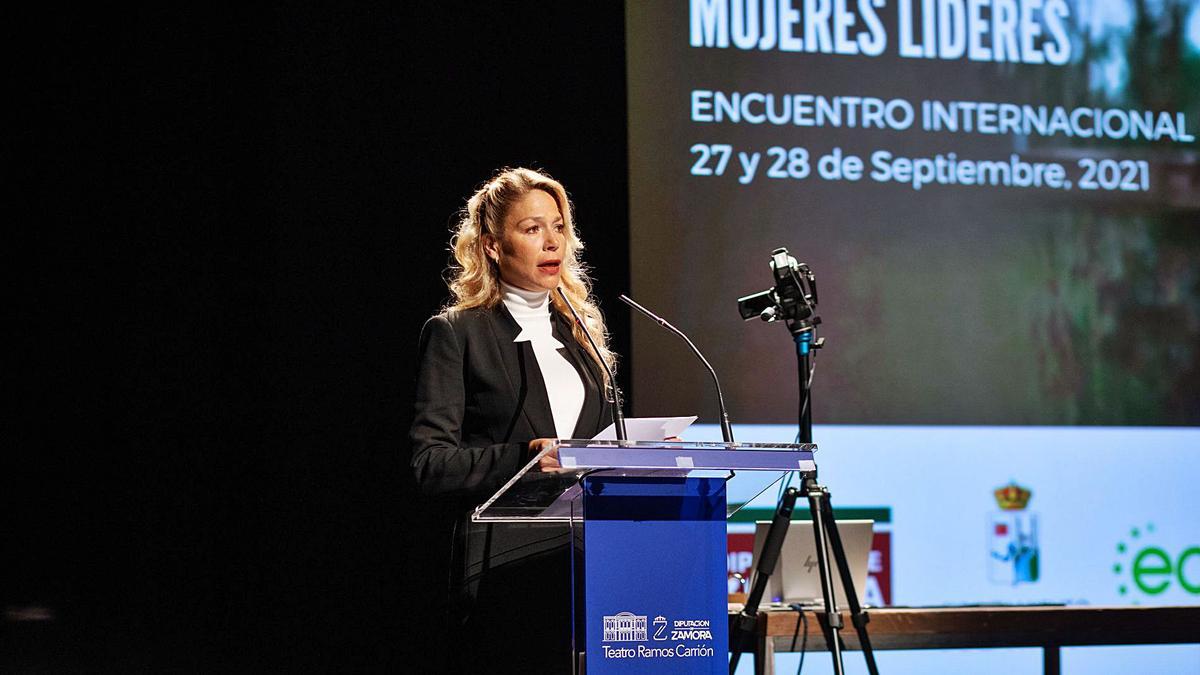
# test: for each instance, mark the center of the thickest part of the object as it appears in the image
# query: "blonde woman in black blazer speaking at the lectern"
(503, 373)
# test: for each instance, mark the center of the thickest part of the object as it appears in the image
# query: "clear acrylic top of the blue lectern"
(535, 495)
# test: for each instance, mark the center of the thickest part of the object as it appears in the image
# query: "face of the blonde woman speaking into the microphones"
(535, 243)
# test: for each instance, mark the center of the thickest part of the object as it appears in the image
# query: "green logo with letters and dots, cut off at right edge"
(1153, 570)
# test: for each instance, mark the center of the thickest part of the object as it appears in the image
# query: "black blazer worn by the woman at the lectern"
(481, 399)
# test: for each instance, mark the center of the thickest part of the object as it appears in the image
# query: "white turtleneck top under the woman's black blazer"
(563, 385)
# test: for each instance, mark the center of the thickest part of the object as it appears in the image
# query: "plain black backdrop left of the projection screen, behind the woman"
(229, 228)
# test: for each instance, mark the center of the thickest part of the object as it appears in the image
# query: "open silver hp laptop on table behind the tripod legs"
(797, 578)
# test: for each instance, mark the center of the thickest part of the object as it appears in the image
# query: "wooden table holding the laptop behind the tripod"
(971, 628)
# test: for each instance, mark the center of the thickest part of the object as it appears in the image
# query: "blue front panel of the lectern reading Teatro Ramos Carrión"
(655, 576)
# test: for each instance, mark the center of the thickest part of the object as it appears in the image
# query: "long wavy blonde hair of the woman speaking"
(475, 279)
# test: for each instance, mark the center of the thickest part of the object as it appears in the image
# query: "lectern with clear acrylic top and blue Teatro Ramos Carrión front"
(646, 522)
